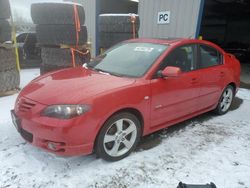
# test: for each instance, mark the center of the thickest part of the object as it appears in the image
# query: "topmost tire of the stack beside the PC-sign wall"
(118, 23)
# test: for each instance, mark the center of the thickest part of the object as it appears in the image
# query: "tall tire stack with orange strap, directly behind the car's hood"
(57, 25)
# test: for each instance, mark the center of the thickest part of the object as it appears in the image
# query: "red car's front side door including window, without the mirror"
(176, 97)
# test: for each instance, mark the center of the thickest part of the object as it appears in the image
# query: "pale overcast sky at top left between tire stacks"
(22, 7)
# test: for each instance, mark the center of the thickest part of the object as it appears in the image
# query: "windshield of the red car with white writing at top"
(128, 59)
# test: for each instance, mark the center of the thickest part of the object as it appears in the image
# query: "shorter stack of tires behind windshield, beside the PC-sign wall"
(114, 28)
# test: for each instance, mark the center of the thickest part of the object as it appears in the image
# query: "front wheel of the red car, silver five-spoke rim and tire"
(121, 128)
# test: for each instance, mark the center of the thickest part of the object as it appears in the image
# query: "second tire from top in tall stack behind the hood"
(60, 34)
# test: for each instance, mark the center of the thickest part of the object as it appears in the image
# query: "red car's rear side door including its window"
(212, 72)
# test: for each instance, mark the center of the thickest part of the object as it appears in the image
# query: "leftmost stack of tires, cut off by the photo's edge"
(9, 75)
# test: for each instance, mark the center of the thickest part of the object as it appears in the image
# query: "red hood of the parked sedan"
(72, 86)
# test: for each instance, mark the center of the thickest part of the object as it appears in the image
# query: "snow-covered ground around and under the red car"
(205, 149)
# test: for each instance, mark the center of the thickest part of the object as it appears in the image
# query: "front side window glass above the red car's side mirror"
(182, 57)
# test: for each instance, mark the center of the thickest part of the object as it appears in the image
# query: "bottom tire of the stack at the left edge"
(9, 80)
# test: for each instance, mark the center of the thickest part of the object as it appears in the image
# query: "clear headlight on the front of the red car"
(65, 111)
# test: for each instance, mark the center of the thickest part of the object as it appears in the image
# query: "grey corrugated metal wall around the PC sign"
(183, 18)
